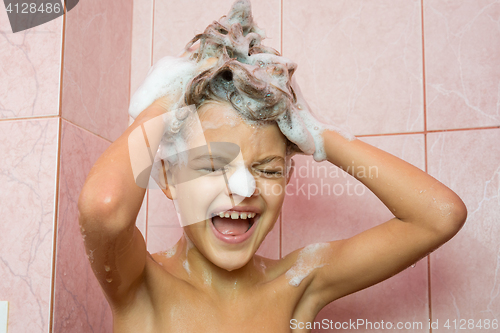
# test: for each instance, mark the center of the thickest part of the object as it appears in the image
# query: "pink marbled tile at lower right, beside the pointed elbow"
(465, 272)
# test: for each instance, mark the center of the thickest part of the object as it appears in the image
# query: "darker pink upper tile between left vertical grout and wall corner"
(96, 78)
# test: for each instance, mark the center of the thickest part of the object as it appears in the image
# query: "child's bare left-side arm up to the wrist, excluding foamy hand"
(108, 206)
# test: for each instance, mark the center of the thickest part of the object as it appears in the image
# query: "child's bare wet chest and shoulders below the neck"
(173, 305)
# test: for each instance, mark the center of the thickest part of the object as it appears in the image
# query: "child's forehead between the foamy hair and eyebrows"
(222, 123)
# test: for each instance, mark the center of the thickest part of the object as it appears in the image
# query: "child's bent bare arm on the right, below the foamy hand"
(427, 214)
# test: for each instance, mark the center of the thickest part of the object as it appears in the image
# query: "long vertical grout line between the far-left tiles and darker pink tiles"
(58, 170)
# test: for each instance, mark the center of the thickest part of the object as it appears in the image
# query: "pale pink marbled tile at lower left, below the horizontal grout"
(29, 150)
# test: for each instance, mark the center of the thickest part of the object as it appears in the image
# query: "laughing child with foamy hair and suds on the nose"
(223, 180)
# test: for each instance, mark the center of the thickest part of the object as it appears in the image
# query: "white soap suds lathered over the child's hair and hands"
(228, 62)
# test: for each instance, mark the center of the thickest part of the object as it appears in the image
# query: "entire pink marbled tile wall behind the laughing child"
(418, 78)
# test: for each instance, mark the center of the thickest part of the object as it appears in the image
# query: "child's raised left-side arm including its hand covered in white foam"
(110, 199)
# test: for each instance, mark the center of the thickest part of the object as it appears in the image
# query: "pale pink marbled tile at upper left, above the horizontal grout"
(30, 69)
